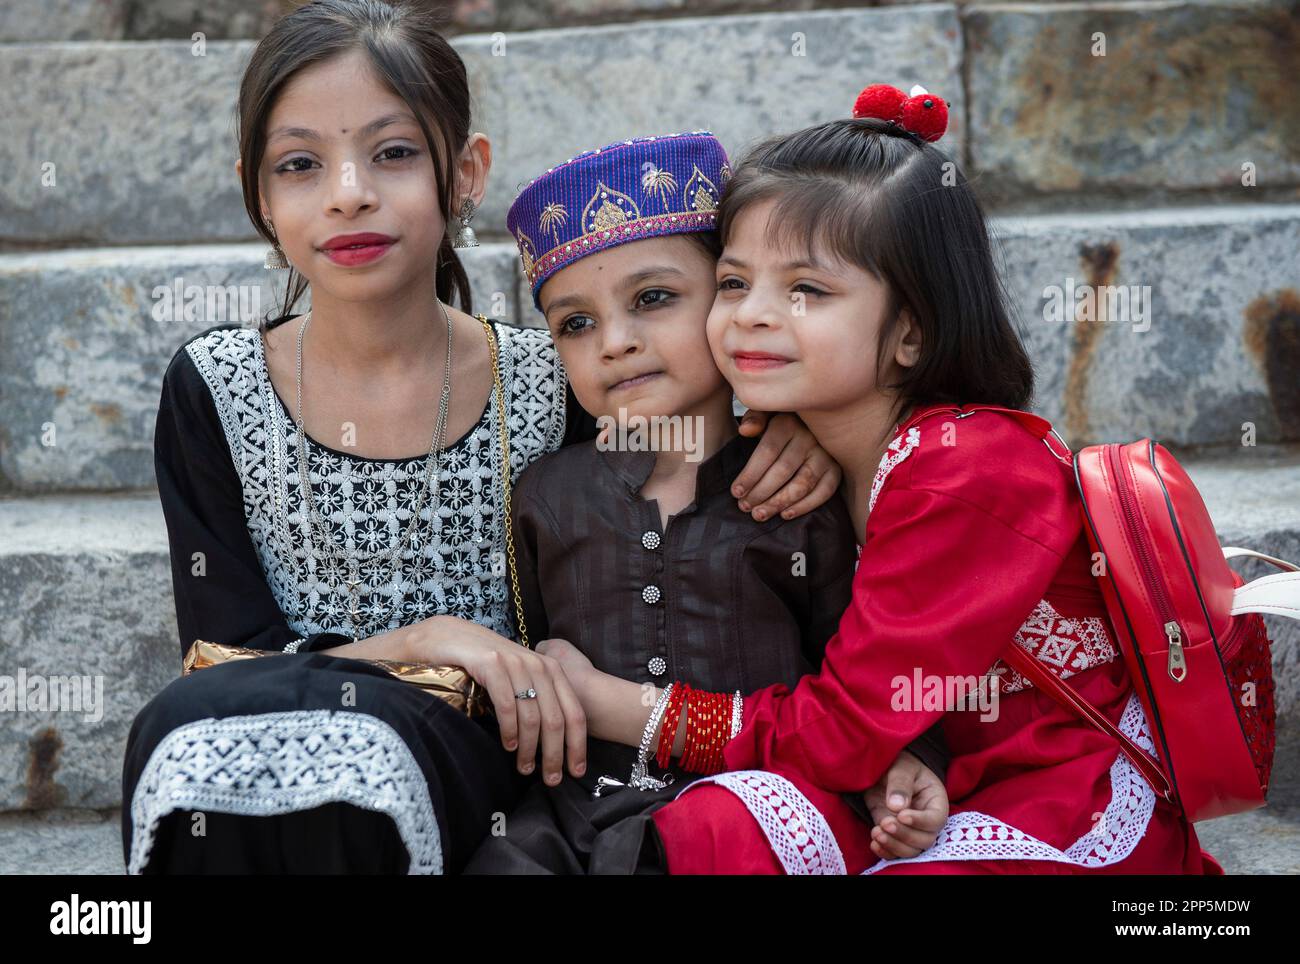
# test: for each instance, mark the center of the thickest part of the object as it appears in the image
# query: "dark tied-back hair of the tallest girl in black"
(415, 62)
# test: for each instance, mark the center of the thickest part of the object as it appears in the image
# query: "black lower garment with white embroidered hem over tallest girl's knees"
(197, 818)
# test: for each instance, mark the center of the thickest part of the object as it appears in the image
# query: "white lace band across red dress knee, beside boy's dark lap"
(798, 832)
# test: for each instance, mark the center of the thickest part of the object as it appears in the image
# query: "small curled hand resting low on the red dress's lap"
(909, 806)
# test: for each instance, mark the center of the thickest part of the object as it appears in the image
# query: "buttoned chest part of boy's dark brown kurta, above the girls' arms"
(714, 598)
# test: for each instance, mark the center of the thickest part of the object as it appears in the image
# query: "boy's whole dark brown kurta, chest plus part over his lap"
(714, 598)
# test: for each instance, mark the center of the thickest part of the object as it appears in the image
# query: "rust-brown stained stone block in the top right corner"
(1133, 98)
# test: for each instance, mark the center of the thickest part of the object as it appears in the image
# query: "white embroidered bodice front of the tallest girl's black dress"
(457, 564)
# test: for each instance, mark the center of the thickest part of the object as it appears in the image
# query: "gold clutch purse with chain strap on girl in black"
(450, 684)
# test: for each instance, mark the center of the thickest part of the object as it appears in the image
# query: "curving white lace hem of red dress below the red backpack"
(974, 836)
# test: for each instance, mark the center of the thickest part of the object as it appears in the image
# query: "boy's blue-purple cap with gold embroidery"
(625, 192)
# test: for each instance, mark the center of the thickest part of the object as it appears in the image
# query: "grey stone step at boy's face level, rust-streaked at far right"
(1204, 351)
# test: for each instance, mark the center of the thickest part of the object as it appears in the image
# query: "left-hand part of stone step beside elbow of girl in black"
(85, 594)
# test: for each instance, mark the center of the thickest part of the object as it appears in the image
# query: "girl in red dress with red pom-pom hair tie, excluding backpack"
(857, 288)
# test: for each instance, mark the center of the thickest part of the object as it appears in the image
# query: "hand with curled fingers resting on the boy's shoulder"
(788, 470)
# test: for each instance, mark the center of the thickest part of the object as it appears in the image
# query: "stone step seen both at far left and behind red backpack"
(85, 590)
